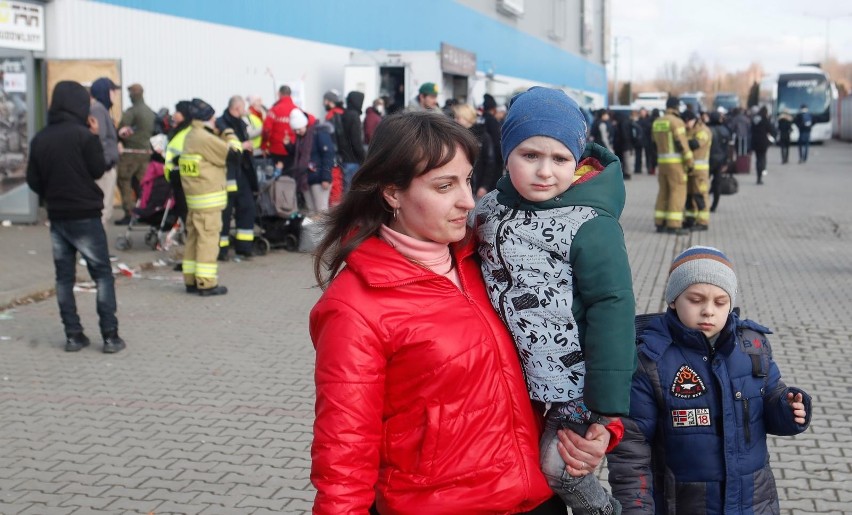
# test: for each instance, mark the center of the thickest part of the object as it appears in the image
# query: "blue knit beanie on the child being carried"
(544, 112)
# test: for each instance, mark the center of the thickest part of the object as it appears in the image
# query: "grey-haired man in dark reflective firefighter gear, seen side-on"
(242, 184)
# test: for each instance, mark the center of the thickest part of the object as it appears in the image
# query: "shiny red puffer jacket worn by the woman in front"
(421, 404)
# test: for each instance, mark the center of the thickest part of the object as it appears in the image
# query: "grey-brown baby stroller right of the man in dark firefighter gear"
(278, 214)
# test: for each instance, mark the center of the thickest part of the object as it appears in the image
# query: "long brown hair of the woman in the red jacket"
(404, 146)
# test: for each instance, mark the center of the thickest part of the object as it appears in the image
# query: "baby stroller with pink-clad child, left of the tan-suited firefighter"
(155, 209)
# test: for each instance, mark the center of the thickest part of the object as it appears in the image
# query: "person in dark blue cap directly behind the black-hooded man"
(104, 94)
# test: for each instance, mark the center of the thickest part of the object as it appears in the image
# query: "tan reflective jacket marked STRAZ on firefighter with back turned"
(202, 167)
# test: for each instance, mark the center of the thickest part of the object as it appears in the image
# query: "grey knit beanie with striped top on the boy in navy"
(701, 265)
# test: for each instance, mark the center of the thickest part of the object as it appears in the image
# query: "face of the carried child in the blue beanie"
(541, 168)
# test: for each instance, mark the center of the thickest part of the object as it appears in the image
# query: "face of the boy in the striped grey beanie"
(704, 307)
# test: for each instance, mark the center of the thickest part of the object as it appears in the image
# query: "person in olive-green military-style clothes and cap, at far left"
(135, 130)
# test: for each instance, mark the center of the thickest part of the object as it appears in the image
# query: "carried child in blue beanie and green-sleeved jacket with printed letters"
(554, 259)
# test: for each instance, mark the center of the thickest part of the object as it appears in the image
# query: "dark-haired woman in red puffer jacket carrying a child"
(421, 404)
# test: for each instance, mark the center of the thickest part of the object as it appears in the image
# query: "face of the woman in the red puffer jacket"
(435, 205)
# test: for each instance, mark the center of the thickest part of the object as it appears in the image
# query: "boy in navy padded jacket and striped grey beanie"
(705, 395)
